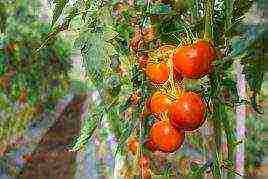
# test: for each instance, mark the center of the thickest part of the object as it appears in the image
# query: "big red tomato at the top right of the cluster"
(194, 60)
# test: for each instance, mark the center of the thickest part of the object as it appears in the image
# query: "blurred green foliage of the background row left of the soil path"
(30, 82)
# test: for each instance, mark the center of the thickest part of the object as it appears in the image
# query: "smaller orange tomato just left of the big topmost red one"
(157, 72)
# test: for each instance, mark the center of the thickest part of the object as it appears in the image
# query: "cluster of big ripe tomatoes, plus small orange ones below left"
(176, 111)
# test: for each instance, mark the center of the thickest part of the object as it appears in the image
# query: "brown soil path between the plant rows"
(52, 160)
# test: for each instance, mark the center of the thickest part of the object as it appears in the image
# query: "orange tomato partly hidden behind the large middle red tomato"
(159, 103)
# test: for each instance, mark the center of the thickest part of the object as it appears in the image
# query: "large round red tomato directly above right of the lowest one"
(188, 113)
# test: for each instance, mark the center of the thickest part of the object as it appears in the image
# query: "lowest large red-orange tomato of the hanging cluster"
(167, 138)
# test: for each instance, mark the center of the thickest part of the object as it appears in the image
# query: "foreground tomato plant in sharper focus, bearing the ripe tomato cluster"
(201, 40)
